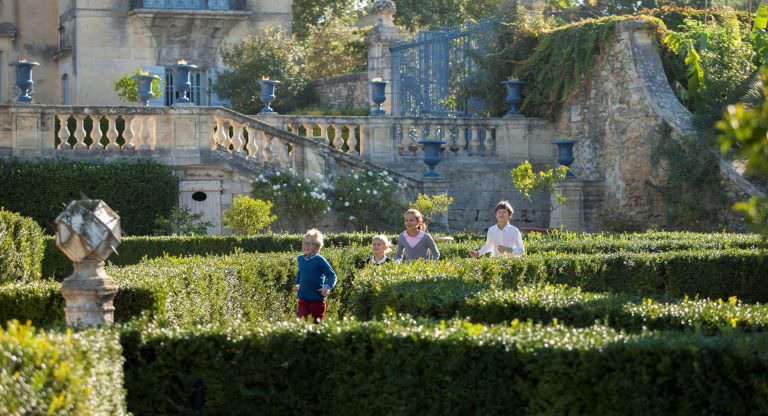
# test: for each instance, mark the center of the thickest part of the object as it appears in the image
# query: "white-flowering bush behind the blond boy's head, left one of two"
(300, 202)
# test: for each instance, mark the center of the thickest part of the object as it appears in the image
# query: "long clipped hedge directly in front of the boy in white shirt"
(438, 288)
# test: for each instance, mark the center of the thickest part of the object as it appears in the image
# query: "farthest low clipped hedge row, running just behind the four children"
(134, 249)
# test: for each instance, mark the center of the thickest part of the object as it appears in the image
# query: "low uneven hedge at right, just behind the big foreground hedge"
(574, 307)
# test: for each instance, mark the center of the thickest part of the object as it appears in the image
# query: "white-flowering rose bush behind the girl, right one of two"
(368, 200)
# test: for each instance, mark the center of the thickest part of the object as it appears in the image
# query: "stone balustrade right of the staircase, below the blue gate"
(388, 139)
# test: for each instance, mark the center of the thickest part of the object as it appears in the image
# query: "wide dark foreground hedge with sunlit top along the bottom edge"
(416, 367)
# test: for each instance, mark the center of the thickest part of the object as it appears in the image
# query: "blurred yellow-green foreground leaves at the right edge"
(744, 131)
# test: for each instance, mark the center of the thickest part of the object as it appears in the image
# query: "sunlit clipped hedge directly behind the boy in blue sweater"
(242, 286)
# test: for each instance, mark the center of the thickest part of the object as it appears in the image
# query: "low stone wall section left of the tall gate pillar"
(343, 91)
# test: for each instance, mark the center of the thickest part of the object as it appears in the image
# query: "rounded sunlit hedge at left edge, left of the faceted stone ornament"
(21, 248)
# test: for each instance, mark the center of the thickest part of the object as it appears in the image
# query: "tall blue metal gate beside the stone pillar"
(428, 72)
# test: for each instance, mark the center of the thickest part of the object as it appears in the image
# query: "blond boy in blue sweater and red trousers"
(315, 277)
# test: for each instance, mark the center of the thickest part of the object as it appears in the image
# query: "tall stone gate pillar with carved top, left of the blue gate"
(378, 41)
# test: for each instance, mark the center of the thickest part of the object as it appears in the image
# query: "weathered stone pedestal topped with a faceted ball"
(87, 232)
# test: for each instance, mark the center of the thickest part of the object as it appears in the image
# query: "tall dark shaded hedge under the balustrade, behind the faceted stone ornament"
(138, 191)
